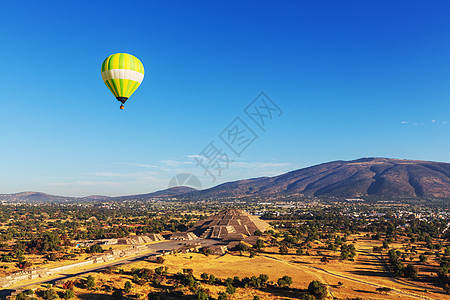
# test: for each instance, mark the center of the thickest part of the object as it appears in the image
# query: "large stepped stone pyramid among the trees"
(230, 224)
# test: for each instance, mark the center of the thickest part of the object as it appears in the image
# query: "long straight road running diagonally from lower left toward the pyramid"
(157, 248)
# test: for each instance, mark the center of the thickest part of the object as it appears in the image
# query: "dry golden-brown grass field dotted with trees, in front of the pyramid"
(359, 278)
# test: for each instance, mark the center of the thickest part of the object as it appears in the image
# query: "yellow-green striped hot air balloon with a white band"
(122, 74)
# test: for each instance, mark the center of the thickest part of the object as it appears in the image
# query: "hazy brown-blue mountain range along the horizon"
(382, 177)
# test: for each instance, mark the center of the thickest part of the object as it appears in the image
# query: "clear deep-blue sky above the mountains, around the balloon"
(352, 78)
